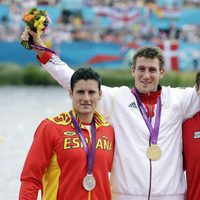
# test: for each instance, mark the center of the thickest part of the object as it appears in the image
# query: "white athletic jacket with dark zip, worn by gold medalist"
(134, 176)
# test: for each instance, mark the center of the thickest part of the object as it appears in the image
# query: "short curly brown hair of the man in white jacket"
(149, 52)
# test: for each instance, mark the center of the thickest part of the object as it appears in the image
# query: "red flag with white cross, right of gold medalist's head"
(170, 49)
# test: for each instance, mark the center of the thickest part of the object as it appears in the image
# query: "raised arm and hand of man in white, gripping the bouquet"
(62, 73)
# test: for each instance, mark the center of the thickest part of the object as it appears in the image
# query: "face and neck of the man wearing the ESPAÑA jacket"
(85, 97)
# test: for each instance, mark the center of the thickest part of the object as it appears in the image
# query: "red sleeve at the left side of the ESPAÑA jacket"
(36, 162)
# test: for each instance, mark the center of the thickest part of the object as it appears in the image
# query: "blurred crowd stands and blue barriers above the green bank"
(105, 33)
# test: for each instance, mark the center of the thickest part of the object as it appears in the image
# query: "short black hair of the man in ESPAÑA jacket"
(85, 73)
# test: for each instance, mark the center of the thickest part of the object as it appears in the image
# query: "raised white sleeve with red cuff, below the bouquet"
(59, 70)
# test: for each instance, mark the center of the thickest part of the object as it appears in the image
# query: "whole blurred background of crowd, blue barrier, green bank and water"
(101, 33)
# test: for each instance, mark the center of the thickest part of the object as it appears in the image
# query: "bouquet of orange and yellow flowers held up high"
(37, 21)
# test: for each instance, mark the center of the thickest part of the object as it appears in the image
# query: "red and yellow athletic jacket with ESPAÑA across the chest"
(56, 162)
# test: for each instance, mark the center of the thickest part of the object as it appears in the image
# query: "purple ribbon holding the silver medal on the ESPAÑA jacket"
(89, 154)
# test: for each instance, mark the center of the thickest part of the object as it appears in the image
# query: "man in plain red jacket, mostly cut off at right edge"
(191, 152)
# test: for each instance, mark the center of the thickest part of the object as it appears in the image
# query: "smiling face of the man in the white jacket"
(147, 74)
